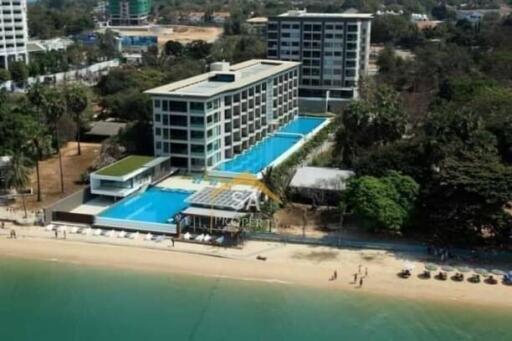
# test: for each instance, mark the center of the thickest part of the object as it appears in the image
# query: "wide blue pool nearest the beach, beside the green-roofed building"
(156, 205)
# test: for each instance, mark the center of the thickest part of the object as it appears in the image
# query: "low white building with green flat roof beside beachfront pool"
(129, 175)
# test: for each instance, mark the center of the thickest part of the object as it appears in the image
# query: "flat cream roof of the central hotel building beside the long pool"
(207, 85)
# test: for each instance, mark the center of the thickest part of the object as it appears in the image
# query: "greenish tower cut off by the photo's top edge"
(129, 12)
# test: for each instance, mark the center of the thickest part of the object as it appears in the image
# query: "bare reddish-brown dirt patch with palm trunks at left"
(72, 164)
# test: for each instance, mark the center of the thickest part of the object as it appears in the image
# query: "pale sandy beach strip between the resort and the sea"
(288, 264)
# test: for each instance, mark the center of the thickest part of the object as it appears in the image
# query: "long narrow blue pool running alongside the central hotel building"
(259, 156)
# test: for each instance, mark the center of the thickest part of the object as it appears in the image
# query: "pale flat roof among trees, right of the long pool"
(320, 178)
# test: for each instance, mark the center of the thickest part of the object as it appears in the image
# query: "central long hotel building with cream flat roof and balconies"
(204, 120)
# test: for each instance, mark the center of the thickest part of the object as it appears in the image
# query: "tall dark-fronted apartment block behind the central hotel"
(334, 50)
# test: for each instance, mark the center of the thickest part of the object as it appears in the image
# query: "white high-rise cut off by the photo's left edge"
(13, 32)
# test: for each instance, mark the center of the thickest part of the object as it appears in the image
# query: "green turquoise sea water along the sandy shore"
(56, 301)
